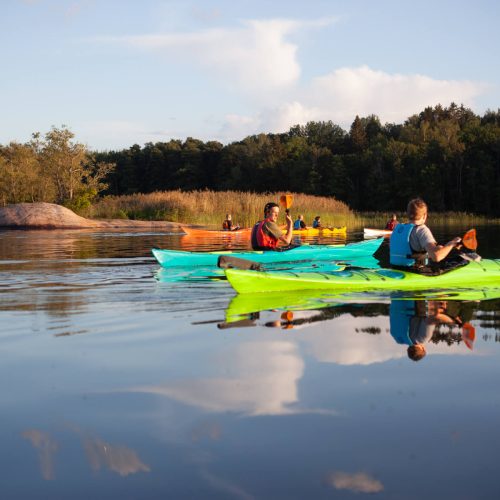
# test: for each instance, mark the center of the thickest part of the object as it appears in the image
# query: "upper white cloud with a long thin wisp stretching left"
(255, 56)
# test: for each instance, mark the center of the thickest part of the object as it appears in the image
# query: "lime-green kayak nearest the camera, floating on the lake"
(485, 273)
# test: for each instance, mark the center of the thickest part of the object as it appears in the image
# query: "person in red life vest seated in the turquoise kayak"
(267, 235)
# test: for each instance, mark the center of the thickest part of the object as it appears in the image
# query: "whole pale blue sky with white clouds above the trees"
(124, 72)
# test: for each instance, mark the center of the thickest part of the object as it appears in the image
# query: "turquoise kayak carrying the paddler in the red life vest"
(179, 258)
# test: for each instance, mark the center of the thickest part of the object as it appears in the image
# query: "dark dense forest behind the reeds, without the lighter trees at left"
(450, 156)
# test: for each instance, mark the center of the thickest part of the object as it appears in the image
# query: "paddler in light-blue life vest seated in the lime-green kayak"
(412, 245)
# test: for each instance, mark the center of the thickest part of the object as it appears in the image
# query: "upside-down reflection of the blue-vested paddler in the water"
(417, 322)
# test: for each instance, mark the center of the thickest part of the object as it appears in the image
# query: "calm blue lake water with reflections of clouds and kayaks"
(118, 381)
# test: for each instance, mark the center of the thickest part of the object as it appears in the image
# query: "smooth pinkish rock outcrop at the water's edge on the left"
(51, 216)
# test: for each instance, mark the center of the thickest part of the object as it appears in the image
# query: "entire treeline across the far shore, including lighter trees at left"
(449, 156)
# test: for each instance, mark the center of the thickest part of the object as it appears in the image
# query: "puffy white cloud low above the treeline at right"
(346, 92)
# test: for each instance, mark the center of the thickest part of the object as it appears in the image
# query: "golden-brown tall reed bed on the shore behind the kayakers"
(210, 207)
